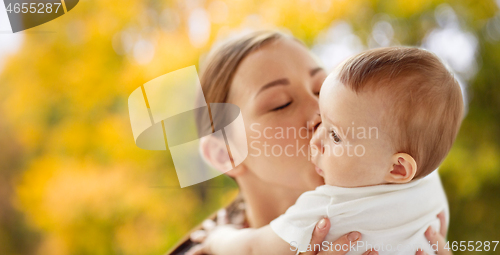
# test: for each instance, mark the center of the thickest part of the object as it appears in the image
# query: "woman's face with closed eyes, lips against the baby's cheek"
(277, 88)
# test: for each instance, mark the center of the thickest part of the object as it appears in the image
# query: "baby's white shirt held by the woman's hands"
(392, 218)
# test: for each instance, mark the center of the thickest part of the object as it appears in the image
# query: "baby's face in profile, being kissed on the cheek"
(352, 148)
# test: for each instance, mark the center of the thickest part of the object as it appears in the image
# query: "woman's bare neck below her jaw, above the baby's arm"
(264, 201)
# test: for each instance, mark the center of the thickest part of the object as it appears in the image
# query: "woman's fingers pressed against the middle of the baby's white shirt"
(321, 230)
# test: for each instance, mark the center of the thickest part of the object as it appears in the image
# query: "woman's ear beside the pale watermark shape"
(215, 153)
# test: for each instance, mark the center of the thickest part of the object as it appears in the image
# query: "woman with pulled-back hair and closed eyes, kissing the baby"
(275, 80)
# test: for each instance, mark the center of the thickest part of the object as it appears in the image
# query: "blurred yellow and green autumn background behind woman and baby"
(72, 180)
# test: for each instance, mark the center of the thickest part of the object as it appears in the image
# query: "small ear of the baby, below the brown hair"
(403, 168)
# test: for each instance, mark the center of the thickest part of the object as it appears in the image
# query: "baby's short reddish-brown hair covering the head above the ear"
(424, 100)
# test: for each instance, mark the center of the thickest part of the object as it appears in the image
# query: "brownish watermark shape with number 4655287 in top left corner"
(25, 14)
